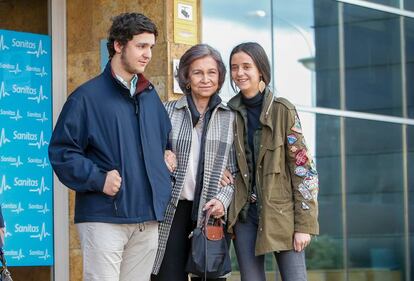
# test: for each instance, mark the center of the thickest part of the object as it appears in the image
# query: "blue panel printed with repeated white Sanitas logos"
(26, 178)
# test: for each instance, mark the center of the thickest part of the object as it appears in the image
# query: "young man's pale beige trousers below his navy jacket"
(118, 252)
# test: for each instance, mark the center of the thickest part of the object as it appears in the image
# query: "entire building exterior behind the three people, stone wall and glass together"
(347, 65)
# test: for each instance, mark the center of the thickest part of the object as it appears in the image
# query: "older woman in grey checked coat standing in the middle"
(202, 139)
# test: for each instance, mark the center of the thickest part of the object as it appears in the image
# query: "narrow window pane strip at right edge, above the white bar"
(409, 47)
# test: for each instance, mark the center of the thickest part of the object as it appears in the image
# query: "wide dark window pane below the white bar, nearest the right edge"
(375, 213)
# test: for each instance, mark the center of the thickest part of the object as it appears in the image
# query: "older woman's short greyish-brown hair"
(194, 53)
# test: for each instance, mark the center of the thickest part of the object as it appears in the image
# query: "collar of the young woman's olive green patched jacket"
(265, 116)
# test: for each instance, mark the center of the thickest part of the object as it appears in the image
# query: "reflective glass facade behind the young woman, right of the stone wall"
(348, 67)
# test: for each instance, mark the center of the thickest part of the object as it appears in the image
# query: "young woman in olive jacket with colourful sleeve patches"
(275, 202)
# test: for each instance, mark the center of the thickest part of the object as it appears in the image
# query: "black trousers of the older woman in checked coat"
(178, 247)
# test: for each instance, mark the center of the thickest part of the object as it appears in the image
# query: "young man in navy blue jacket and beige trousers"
(108, 145)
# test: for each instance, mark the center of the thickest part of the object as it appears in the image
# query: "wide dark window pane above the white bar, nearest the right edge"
(372, 61)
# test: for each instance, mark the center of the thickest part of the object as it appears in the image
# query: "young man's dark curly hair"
(125, 26)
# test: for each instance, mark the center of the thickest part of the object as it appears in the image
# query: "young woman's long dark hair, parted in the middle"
(259, 57)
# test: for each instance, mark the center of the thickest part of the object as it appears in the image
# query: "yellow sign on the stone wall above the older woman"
(185, 22)
